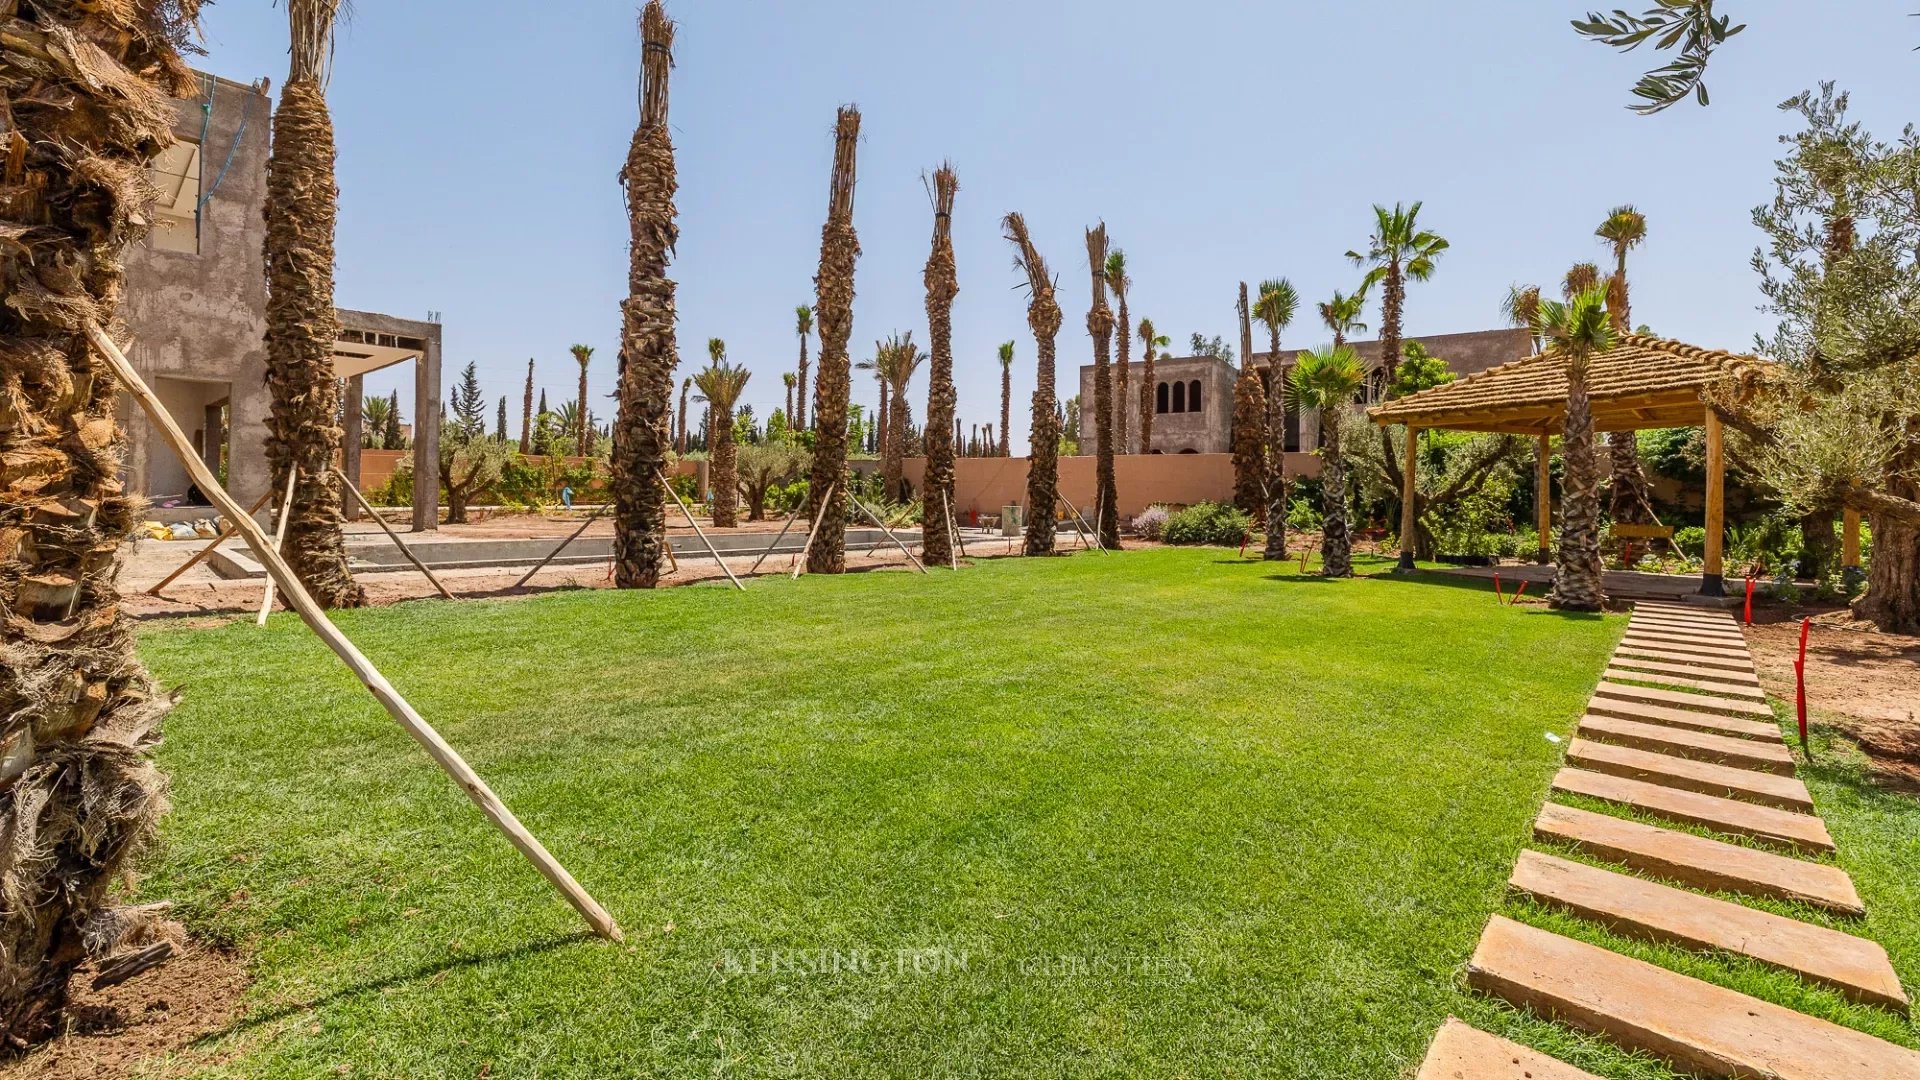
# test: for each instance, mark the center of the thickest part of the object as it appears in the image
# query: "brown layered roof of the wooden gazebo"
(1637, 385)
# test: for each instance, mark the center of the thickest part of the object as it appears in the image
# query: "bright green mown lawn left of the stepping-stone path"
(1166, 814)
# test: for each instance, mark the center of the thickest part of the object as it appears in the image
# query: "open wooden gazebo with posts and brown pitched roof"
(1641, 383)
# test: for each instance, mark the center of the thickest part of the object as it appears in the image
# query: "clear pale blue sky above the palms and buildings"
(1220, 141)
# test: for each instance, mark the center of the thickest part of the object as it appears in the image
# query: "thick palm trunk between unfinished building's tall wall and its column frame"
(302, 326)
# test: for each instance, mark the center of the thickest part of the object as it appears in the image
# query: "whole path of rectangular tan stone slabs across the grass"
(1681, 731)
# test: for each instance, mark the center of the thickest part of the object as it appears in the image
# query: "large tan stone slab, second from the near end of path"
(1691, 1023)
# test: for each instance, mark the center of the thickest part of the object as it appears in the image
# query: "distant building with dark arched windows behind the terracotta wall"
(1193, 395)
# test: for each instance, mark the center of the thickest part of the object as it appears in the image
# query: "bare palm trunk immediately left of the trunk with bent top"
(944, 428)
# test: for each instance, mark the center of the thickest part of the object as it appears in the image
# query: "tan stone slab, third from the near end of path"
(1639, 908)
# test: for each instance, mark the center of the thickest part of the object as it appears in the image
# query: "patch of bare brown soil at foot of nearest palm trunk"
(139, 1023)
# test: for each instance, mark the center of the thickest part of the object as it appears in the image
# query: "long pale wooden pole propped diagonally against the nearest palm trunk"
(339, 643)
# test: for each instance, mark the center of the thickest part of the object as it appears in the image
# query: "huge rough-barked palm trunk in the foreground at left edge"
(87, 89)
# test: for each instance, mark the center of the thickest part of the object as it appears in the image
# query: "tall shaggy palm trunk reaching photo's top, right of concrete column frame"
(650, 351)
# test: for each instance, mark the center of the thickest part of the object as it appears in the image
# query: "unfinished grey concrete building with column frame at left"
(197, 308)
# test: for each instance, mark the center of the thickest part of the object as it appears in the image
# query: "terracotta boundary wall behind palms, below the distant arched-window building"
(984, 485)
